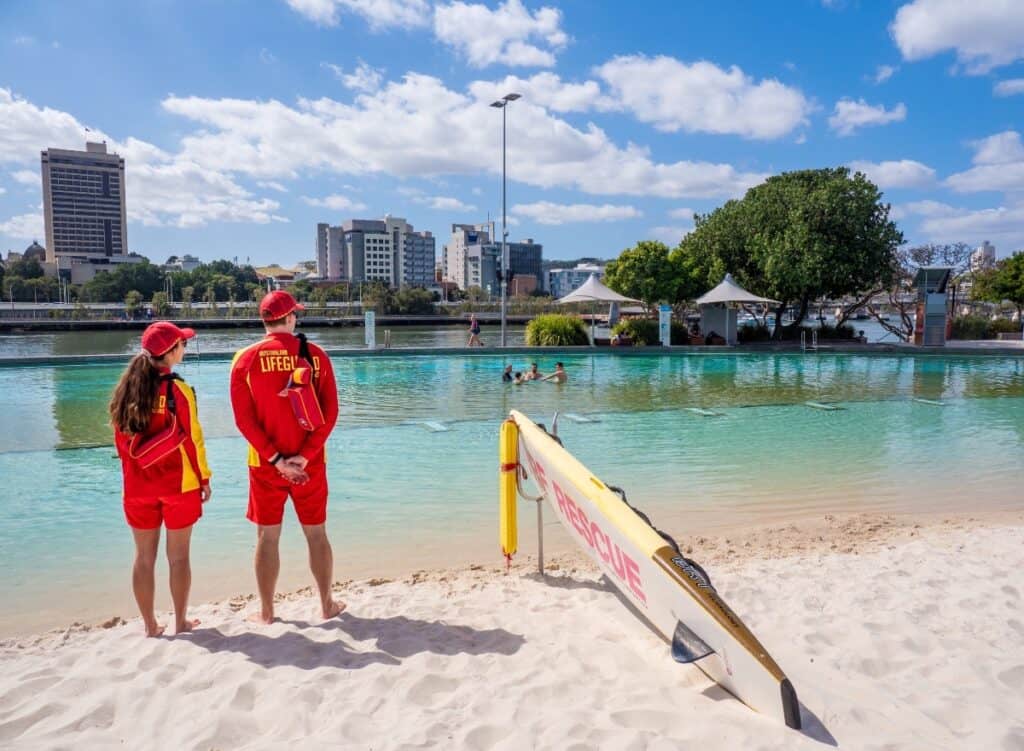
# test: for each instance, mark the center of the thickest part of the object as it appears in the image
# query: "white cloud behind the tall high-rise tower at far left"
(163, 189)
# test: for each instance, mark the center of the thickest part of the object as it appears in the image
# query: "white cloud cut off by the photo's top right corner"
(986, 34)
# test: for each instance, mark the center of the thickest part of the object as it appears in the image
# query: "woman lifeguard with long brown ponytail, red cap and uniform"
(163, 463)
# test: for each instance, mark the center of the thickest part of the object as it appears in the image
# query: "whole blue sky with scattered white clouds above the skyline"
(243, 124)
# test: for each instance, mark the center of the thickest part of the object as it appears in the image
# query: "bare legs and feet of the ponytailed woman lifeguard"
(144, 577)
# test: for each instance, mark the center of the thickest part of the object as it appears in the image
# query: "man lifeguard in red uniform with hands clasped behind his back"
(286, 448)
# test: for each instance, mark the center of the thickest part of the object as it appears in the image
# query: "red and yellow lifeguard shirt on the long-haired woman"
(183, 472)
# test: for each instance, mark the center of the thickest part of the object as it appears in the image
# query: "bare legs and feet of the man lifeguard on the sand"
(268, 561)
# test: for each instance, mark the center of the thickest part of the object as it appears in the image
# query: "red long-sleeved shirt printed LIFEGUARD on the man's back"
(260, 374)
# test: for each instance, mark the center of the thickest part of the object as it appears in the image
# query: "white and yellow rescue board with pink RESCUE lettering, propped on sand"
(671, 592)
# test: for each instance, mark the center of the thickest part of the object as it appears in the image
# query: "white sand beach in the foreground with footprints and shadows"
(897, 635)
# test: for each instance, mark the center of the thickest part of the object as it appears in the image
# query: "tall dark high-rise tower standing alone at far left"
(84, 204)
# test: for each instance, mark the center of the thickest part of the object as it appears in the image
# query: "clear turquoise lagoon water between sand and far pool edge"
(405, 496)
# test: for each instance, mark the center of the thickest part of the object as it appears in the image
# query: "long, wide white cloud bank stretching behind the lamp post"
(418, 128)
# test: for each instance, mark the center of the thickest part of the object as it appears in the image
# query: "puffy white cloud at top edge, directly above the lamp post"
(509, 34)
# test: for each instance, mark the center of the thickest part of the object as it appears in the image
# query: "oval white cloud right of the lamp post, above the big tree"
(703, 98)
